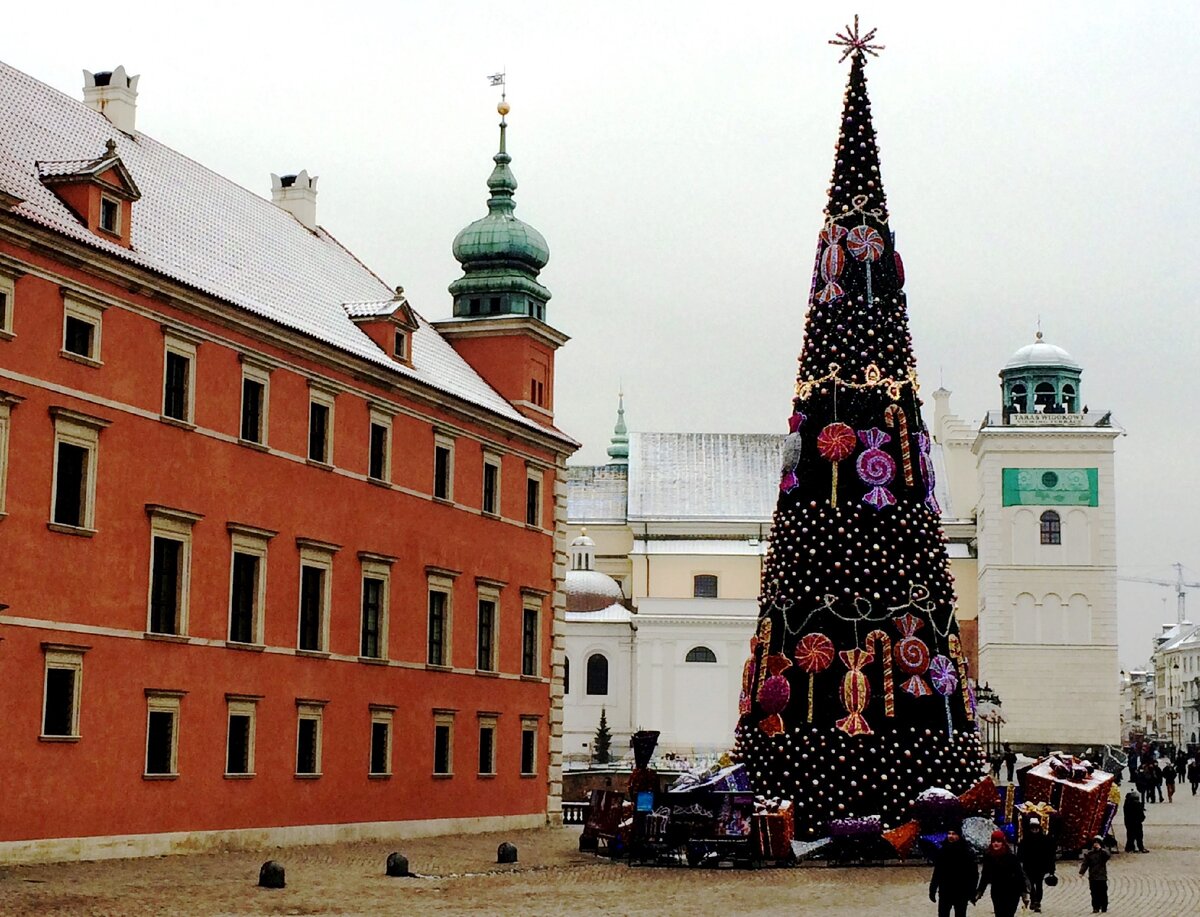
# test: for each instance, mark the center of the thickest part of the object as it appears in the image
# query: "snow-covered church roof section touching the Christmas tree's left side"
(733, 477)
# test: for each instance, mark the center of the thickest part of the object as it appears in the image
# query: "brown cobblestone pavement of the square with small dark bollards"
(554, 879)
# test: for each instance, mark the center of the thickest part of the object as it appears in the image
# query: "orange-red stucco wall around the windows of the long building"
(92, 591)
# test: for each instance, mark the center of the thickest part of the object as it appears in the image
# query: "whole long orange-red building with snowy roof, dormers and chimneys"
(278, 565)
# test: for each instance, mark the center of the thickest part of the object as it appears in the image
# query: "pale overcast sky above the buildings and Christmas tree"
(1041, 160)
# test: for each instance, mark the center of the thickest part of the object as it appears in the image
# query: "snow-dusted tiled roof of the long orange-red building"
(207, 232)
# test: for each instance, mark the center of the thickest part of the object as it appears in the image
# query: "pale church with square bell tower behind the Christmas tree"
(670, 536)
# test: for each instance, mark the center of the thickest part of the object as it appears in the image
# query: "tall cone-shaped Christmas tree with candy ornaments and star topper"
(856, 696)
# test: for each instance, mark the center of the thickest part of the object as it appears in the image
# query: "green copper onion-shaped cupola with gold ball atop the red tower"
(501, 256)
